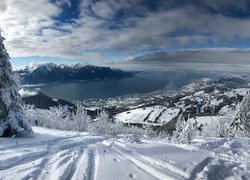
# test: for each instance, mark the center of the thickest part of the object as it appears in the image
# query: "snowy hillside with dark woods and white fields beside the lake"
(201, 101)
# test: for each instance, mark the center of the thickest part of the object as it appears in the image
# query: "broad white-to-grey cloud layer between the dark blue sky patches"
(31, 30)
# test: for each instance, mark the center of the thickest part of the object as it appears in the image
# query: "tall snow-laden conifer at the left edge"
(12, 120)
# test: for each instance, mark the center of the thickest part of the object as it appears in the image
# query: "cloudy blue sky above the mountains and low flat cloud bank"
(99, 31)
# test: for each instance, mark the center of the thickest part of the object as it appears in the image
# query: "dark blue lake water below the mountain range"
(143, 83)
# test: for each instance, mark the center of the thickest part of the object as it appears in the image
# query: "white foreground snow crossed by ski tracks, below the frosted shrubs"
(53, 154)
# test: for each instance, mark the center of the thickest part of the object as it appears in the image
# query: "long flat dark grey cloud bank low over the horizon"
(208, 55)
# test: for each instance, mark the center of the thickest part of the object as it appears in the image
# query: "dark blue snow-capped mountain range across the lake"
(53, 73)
